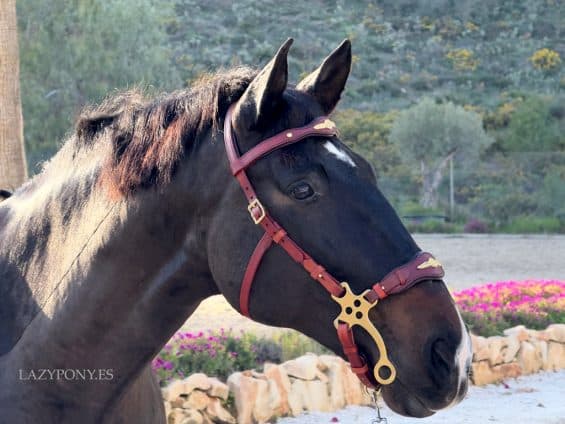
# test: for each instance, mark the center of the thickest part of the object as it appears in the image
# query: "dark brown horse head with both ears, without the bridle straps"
(327, 198)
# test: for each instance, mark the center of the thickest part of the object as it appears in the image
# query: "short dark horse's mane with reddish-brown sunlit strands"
(149, 136)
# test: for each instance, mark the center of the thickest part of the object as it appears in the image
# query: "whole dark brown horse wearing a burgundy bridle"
(138, 218)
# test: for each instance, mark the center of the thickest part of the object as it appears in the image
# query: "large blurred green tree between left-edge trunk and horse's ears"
(75, 52)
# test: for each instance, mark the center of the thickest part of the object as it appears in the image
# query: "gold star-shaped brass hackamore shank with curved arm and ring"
(355, 311)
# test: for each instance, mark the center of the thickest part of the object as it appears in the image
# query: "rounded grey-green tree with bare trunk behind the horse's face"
(430, 135)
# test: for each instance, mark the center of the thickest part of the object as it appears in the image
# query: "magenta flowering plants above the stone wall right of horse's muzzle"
(491, 308)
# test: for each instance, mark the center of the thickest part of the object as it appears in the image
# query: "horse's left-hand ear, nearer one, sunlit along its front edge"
(260, 100)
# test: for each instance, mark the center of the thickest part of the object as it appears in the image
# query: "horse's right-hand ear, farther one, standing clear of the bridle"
(327, 82)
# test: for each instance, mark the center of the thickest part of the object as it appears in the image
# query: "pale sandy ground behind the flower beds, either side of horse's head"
(468, 260)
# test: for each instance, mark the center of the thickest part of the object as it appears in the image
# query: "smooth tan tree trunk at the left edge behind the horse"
(13, 171)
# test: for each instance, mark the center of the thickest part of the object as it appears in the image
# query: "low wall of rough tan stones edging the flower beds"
(325, 383)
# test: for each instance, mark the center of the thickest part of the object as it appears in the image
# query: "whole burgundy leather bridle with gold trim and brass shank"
(354, 308)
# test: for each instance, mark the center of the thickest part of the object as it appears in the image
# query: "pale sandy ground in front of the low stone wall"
(534, 399)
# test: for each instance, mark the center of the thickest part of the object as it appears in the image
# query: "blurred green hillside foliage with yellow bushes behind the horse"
(500, 61)
